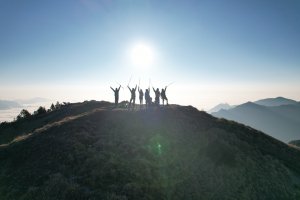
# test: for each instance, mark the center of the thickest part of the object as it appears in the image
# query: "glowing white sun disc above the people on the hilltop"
(142, 55)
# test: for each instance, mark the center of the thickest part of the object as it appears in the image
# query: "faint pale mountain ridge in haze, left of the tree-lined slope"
(8, 104)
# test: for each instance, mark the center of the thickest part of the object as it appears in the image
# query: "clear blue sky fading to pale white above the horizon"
(212, 51)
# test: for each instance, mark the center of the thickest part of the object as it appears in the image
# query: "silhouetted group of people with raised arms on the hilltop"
(158, 94)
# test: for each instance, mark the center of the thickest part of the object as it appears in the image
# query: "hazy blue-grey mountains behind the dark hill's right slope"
(279, 117)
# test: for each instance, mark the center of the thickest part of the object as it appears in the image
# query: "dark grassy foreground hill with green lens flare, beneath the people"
(172, 153)
